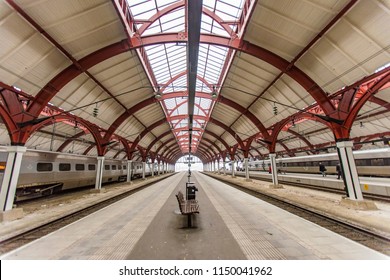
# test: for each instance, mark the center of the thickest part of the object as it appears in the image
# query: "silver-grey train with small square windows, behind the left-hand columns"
(44, 173)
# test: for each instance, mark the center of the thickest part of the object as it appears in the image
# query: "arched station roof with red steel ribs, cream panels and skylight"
(158, 79)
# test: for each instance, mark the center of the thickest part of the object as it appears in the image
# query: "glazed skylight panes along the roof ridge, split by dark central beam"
(169, 61)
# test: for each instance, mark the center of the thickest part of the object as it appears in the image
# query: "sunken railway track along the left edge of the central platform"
(28, 236)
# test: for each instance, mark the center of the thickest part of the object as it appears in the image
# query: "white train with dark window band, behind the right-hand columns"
(372, 163)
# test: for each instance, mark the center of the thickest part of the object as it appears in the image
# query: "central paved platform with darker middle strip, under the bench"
(231, 225)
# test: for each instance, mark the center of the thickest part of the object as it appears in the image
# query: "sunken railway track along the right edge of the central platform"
(354, 232)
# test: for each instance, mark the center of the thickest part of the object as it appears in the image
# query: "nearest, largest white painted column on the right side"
(348, 167)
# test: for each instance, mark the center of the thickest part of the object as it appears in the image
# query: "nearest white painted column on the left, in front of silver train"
(11, 176)
